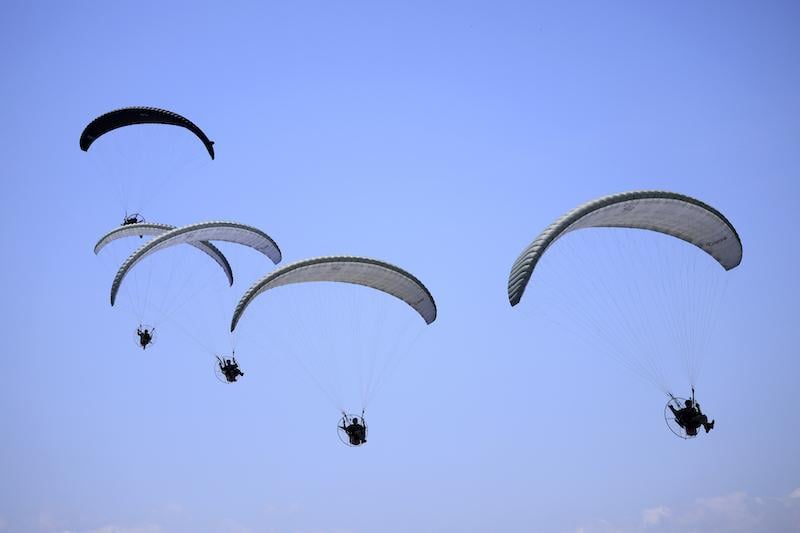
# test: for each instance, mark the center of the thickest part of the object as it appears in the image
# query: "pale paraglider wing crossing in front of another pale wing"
(204, 231)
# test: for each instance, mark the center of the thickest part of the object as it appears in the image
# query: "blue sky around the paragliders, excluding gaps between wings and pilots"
(440, 136)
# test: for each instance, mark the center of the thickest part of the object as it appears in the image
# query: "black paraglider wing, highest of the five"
(130, 116)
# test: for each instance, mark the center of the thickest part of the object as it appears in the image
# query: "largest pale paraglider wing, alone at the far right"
(670, 213)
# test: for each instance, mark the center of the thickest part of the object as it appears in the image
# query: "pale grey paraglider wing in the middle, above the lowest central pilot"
(357, 270)
